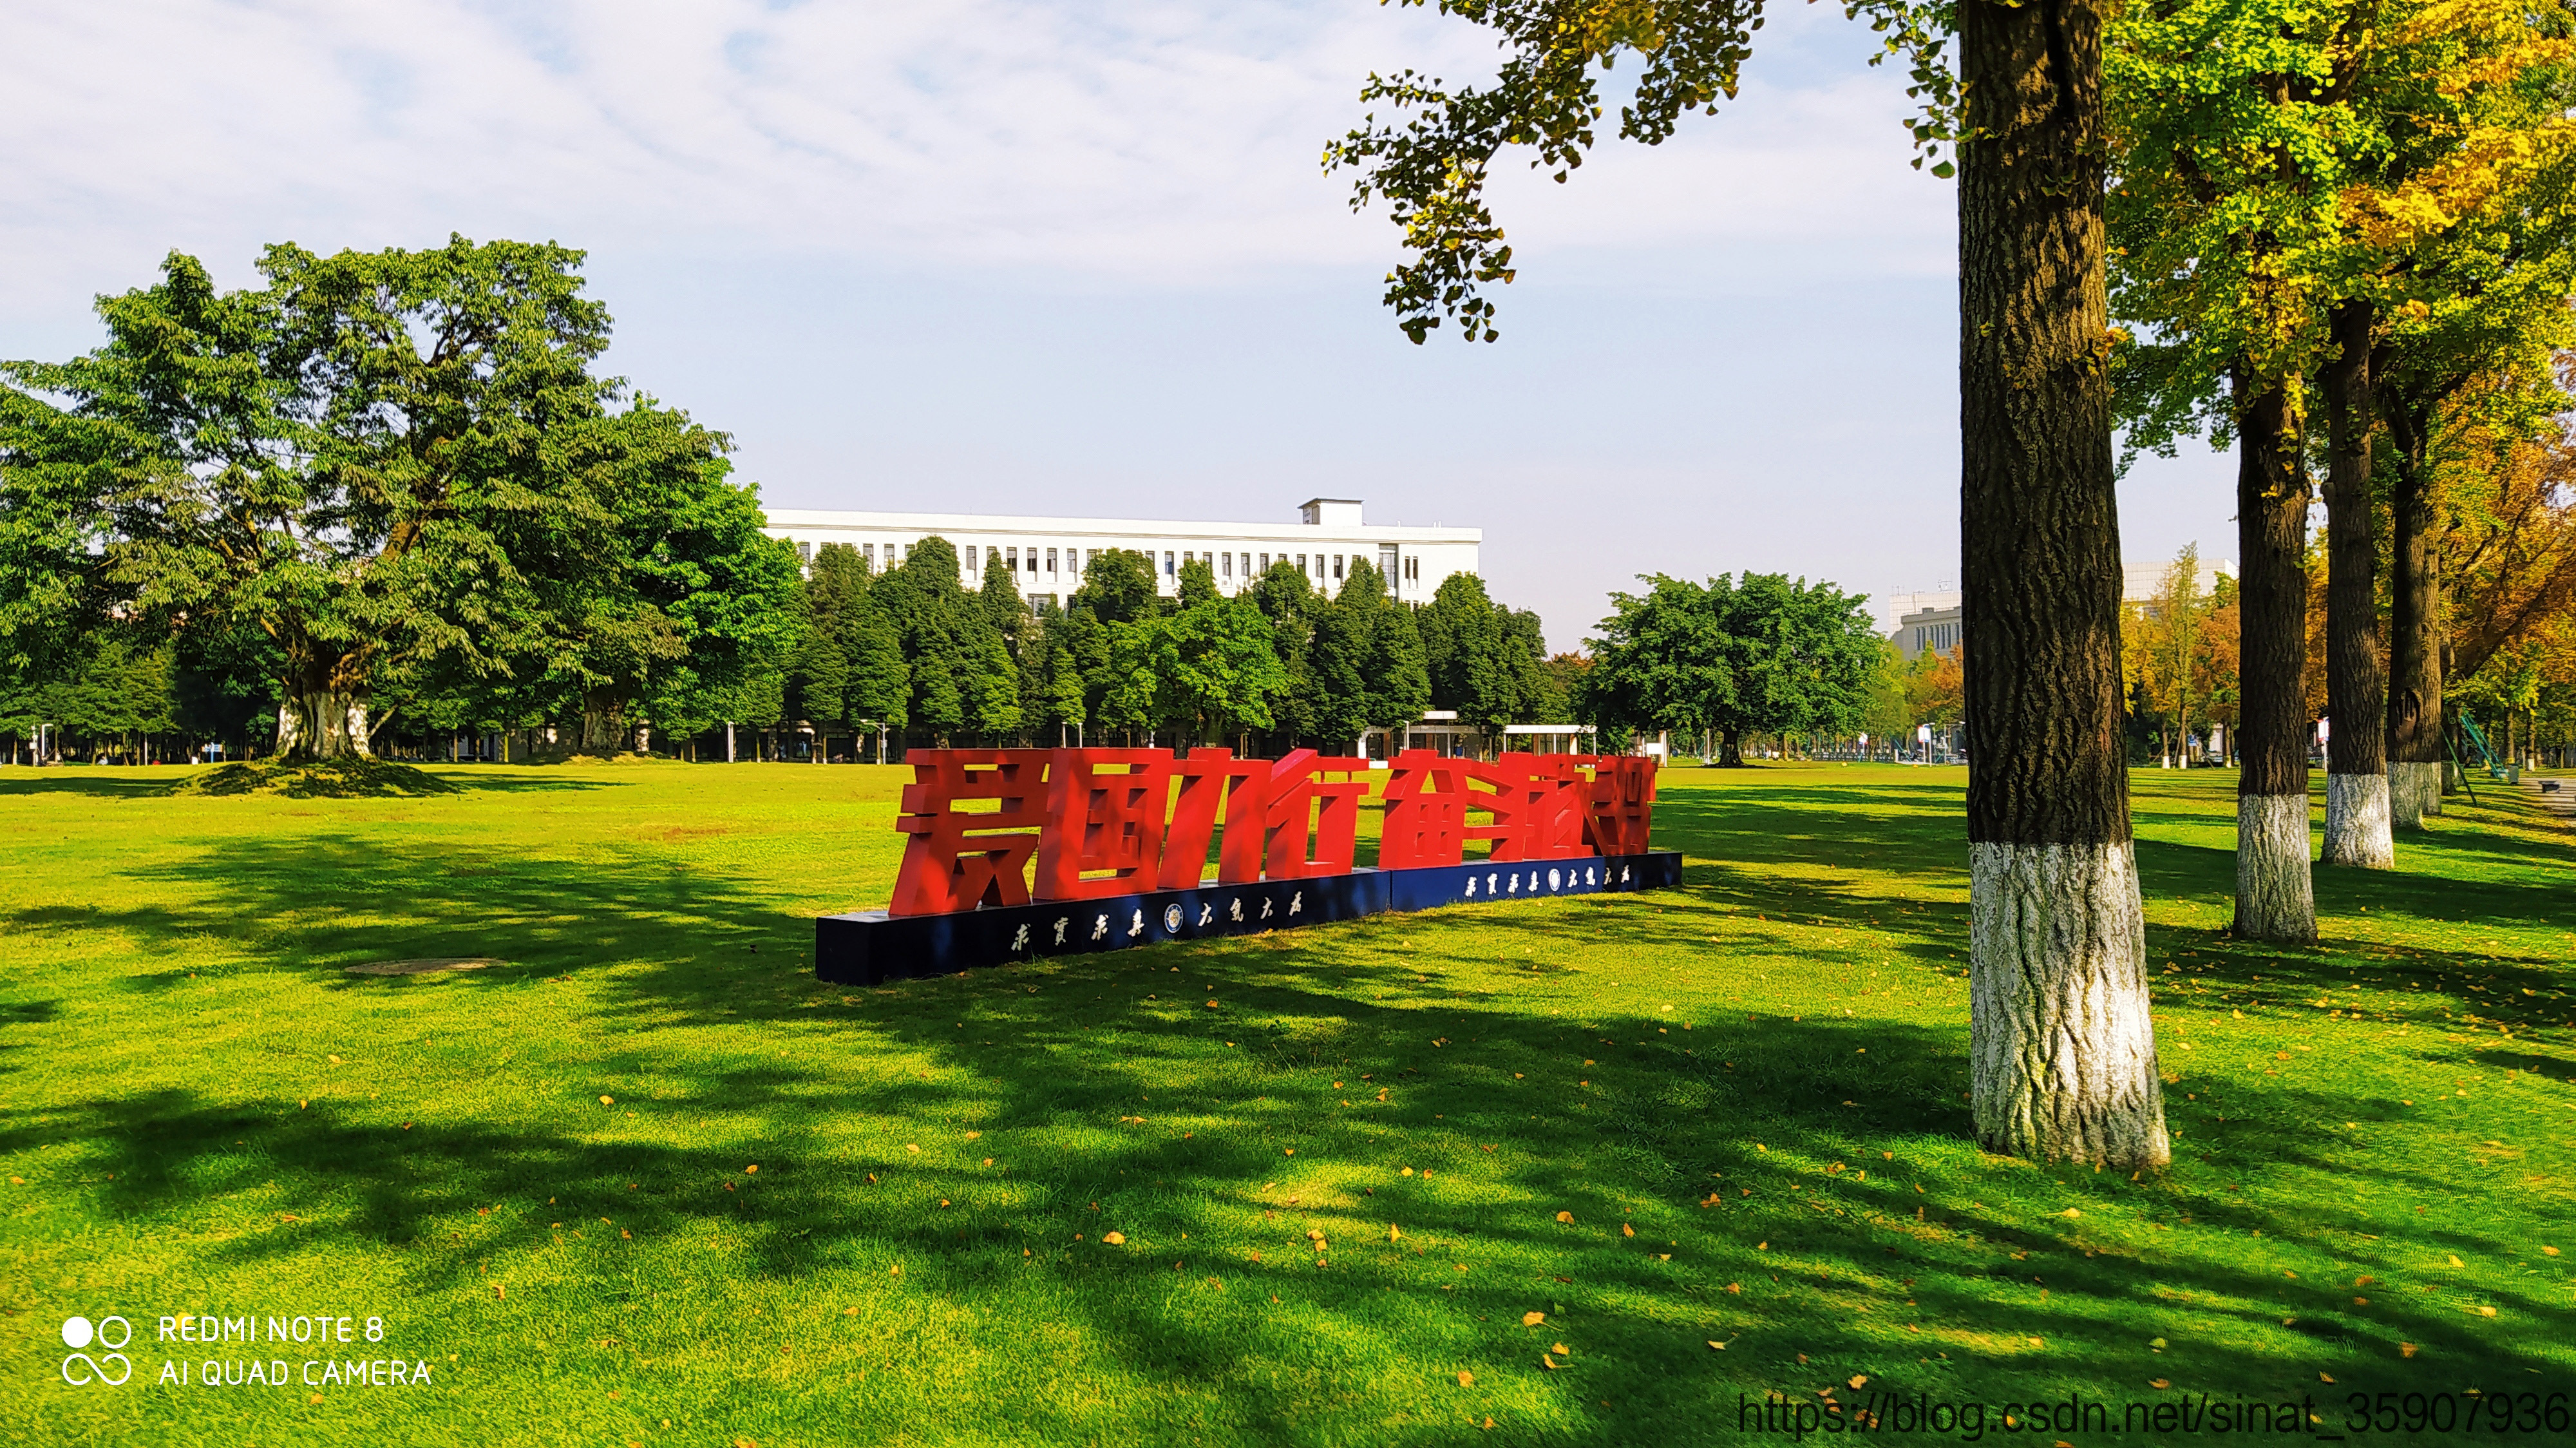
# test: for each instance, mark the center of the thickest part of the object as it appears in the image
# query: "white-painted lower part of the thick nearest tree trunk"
(2060, 1032)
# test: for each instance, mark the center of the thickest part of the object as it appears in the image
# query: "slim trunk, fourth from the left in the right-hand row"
(2415, 620)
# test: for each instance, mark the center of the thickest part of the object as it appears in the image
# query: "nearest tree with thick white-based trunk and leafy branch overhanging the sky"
(2054, 890)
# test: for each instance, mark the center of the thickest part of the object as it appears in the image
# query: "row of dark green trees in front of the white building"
(1271, 666)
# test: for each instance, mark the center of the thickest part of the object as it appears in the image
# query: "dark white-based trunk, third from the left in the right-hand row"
(2356, 674)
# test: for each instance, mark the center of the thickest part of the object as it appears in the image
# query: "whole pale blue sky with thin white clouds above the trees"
(1081, 259)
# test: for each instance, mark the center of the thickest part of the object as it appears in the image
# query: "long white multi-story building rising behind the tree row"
(1050, 553)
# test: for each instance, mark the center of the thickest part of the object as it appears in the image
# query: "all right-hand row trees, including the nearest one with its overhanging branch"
(2343, 207)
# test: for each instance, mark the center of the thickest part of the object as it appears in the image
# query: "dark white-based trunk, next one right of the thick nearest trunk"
(2273, 890)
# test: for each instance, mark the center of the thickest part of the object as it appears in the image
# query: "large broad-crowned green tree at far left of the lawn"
(365, 460)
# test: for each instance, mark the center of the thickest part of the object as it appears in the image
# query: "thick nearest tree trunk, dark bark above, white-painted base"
(2060, 1037)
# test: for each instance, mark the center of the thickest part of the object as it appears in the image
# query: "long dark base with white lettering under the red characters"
(872, 947)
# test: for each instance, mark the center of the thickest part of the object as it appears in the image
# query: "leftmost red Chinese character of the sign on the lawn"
(957, 859)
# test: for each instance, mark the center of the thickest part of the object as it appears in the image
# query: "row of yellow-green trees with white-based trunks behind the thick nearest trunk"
(2343, 243)
